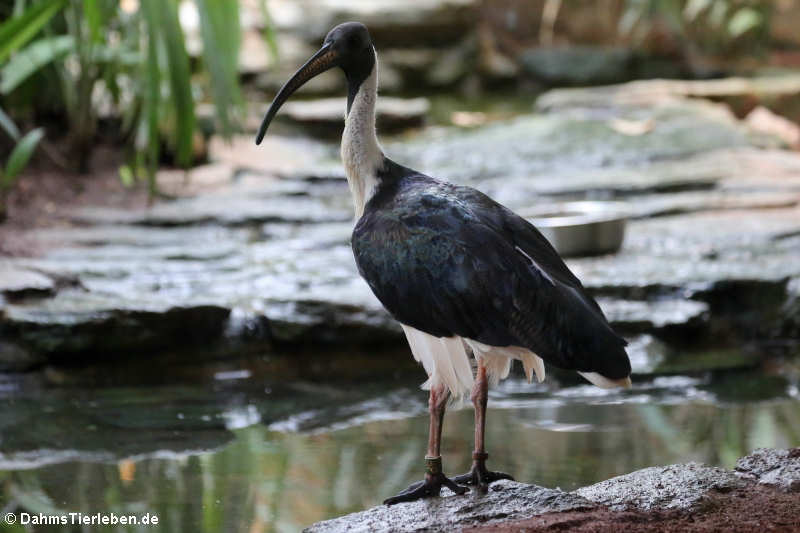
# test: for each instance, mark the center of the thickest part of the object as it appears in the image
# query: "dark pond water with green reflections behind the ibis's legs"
(234, 455)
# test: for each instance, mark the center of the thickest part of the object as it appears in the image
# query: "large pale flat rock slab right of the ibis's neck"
(578, 150)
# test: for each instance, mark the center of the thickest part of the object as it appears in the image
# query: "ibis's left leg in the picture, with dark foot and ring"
(434, 478)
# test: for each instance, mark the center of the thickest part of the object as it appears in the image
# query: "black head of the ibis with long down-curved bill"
(347, 46)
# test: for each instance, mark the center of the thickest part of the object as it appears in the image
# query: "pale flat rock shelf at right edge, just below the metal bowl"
(734, 245)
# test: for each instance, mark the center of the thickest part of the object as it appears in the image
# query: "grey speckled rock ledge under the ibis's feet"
(653, 494)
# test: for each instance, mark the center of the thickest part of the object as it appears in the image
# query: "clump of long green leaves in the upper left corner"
(70, 65)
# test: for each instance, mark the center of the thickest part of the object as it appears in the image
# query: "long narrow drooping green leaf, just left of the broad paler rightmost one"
(180, 81)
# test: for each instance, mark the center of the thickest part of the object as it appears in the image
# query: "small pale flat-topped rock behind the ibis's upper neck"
(324, 117)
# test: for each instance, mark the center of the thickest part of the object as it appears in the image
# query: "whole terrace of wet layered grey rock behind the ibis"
(269, 261)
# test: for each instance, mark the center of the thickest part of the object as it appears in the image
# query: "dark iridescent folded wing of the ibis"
(458, 263)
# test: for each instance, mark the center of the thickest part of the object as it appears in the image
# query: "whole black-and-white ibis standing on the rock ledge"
(464, 275)
